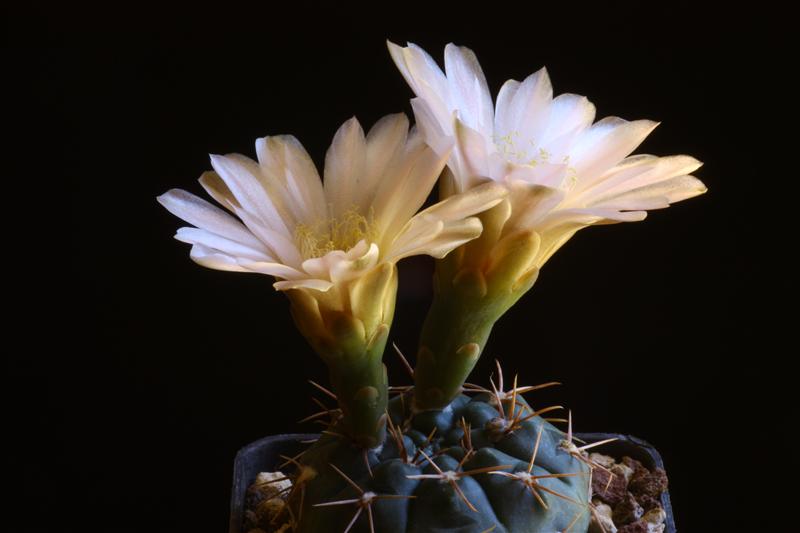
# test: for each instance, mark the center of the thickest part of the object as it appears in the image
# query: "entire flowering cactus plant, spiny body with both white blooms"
(516, 181)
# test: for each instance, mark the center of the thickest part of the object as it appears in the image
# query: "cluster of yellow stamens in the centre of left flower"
(335, 234)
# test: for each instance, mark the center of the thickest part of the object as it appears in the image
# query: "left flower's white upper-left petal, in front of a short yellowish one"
(244, 182)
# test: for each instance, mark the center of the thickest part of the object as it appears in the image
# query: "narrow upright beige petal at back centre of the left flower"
(344, 167)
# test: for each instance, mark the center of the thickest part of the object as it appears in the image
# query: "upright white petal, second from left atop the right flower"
(469, 92)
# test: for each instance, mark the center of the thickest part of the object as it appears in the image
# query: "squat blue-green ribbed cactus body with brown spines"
(501, 503)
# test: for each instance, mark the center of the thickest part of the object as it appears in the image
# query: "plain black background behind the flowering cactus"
(158, 370)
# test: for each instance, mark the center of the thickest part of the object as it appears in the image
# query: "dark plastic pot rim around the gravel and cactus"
(262, 456)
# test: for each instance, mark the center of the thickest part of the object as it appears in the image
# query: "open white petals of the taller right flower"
(564, 172)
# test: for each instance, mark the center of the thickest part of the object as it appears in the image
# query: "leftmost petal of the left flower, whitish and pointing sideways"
(202, 214)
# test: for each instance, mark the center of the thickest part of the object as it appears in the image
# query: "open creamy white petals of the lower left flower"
(315, 236)
